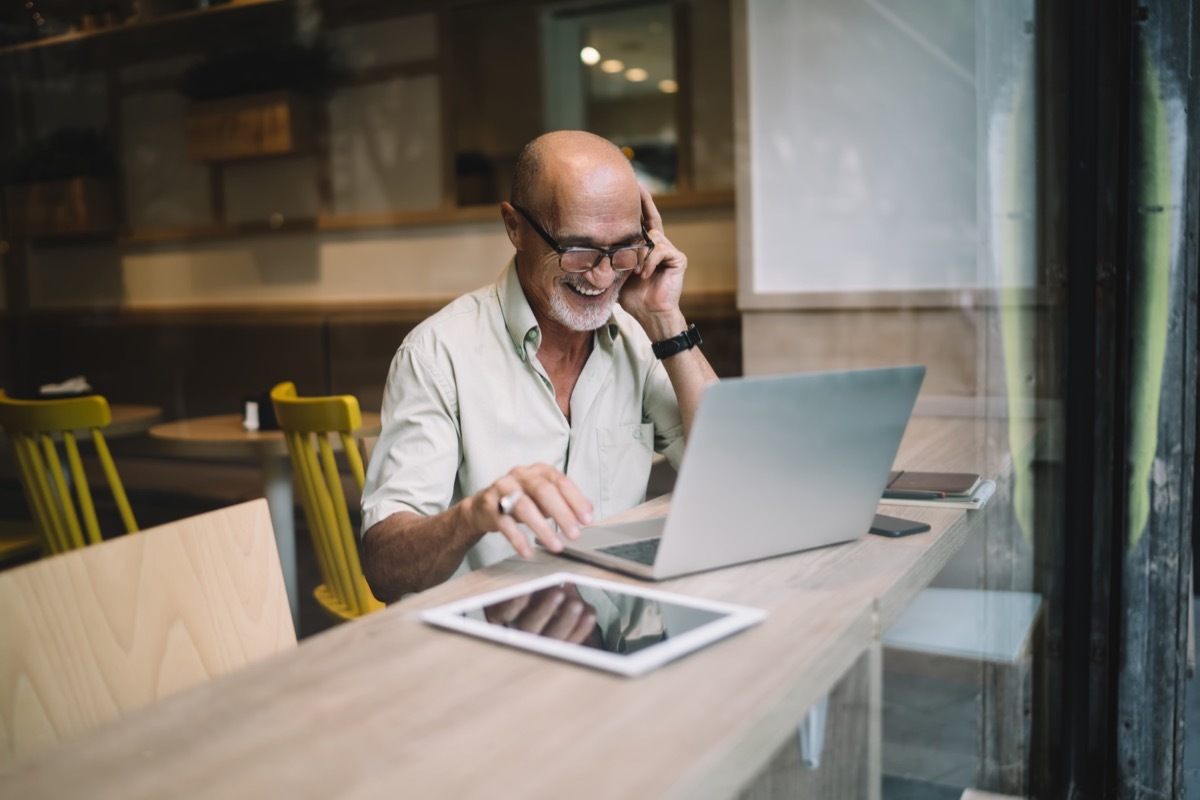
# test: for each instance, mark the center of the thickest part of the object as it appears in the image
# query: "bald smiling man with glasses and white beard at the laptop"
(537, 401)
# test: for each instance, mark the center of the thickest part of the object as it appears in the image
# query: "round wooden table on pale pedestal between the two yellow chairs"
(224, 437)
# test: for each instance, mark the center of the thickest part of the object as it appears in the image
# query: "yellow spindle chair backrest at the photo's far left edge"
(34, 430)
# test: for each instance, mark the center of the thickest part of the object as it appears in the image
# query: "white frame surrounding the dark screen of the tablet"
(736, 618)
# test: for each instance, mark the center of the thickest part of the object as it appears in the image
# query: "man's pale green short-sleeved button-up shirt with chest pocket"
(467, 401)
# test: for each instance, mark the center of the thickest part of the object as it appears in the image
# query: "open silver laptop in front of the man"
(773, 466)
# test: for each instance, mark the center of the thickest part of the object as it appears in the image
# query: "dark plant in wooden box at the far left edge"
(62, 185)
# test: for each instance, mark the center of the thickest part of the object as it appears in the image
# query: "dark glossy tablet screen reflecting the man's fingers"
(597, 618)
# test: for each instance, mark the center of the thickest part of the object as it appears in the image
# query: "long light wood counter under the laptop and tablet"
(388, 707)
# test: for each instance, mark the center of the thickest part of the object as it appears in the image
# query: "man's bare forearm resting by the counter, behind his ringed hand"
(407, 552)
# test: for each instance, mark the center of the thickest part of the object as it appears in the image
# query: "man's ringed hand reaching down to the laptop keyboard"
(532, 496)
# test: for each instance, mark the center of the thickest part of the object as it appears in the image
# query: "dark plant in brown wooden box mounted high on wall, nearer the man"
(257, 101)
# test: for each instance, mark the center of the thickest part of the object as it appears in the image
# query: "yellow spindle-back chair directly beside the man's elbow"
(310, 426)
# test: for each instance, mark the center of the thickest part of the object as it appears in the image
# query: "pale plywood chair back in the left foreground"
(92, 635)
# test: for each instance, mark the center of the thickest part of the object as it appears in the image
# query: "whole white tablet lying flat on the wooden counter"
(615, 627)
